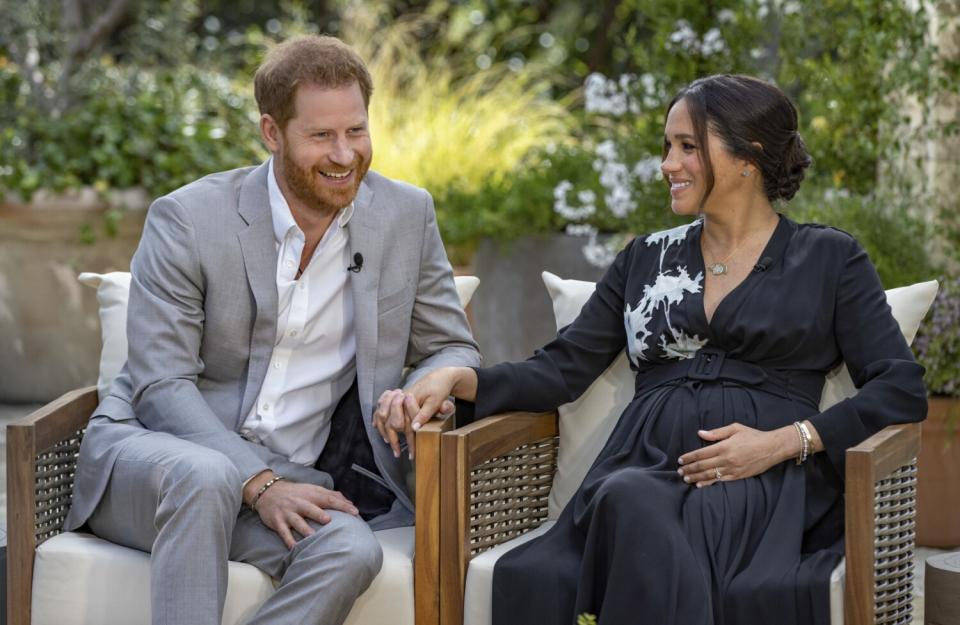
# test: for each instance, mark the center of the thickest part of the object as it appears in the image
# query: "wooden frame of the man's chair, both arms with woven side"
(41, 458)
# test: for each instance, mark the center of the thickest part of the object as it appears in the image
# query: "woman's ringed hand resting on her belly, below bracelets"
(737, 452)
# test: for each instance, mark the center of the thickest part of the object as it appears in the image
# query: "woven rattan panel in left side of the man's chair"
(53, 486)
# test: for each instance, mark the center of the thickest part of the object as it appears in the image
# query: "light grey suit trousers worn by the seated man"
(182, 503)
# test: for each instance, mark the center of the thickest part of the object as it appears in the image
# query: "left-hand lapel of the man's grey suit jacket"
(259, 249)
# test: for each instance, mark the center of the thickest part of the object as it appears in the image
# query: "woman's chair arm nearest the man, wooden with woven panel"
(496, 475)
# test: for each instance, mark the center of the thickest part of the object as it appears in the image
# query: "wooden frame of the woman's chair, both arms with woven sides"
(518, 450)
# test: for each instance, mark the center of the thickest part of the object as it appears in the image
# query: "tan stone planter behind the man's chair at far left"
(49, 323)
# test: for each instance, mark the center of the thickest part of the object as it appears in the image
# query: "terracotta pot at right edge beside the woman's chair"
(938, 483)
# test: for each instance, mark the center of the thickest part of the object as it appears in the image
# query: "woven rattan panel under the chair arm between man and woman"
(508, 494)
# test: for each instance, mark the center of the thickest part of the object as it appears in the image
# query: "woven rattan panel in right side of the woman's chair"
(894, 518)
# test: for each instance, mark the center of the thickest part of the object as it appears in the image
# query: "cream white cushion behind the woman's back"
(586, 423)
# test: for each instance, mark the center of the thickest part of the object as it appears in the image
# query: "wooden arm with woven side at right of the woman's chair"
(880, 511)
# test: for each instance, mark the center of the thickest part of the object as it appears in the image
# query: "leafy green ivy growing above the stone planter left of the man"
(157, 129)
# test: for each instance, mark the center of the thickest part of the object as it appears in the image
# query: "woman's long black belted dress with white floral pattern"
(636, 545)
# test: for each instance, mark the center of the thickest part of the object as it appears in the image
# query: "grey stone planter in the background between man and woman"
(512, 312)
